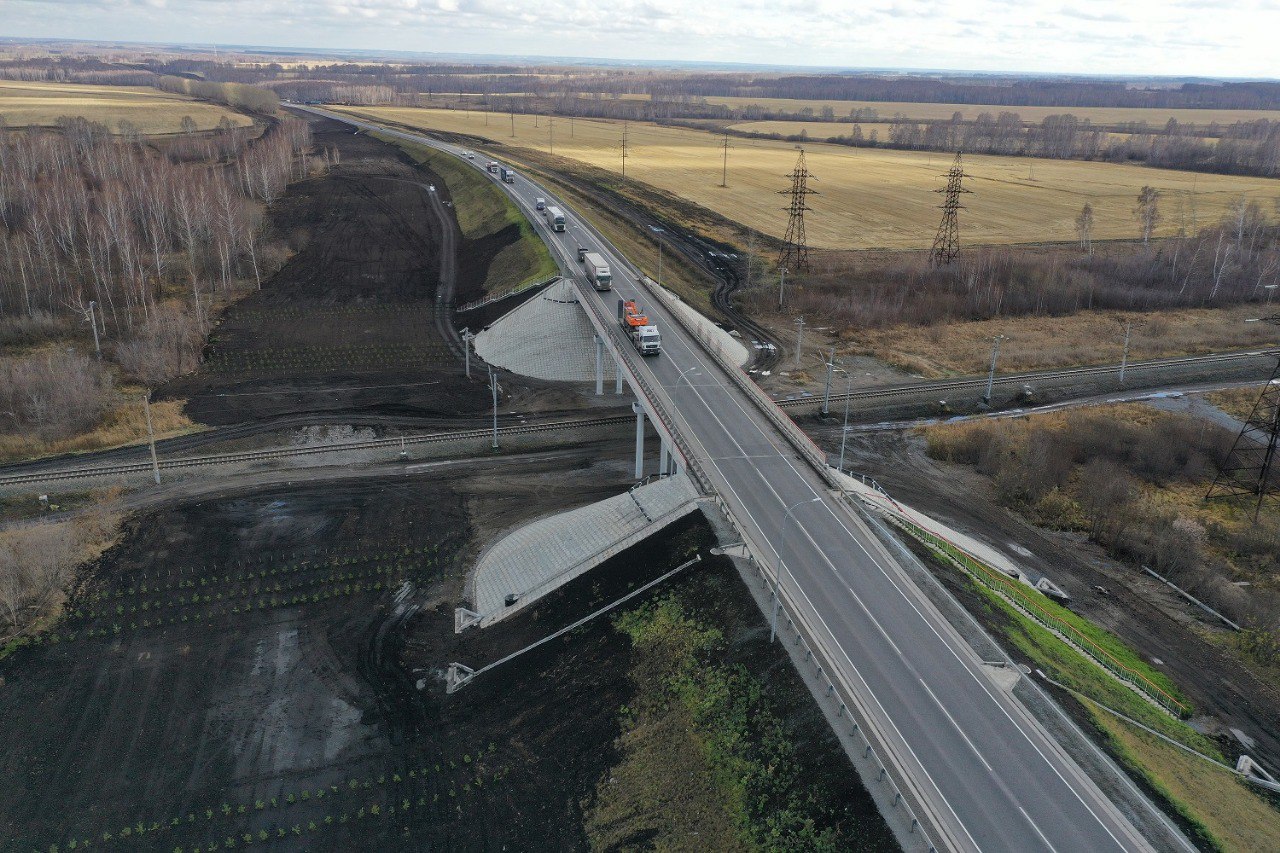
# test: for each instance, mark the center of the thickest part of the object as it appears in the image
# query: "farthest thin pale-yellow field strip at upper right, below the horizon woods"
(913, 111)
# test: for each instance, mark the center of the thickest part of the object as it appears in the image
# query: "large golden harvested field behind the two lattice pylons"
(870, 198)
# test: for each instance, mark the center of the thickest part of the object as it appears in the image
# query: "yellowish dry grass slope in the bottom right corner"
(1227, 808)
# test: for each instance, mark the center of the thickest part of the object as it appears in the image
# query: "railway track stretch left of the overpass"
(292, 453)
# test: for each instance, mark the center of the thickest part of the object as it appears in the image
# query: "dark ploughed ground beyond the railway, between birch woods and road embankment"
(358, 320)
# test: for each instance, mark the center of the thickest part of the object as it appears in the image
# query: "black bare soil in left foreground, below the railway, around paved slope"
(241, 668)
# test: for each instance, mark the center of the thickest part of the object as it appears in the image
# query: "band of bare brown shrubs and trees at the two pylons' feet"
(1231, 263)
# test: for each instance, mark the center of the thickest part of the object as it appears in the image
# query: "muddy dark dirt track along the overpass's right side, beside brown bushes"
(1141, 612)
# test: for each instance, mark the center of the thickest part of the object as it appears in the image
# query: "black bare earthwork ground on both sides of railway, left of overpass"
(259, 660)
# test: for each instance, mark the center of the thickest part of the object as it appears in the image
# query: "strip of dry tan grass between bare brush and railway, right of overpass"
(1048, 343)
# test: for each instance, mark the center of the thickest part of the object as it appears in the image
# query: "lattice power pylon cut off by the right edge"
(1250, 466)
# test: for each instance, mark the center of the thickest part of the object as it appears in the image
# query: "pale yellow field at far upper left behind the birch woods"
(152, 111)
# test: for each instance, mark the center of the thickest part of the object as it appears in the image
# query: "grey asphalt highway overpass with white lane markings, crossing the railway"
(970, 767)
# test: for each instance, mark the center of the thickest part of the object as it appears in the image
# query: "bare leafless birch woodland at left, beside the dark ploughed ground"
(111, 236)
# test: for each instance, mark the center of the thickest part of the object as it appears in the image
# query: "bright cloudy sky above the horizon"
(1177, 38)
